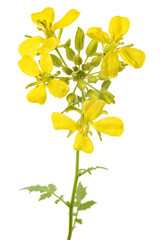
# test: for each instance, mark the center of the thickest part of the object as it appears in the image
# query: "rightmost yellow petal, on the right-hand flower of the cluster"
(132, 56)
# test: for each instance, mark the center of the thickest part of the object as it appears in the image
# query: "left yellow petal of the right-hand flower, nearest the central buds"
(98, 35)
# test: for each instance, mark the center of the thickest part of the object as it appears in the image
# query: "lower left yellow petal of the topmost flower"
(30, 46)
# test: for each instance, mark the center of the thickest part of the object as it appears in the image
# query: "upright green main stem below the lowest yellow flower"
(73, 197)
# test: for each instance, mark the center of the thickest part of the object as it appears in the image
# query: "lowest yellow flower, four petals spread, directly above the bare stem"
(91, 110)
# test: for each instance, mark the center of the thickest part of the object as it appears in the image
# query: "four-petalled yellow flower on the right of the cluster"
(118, 27)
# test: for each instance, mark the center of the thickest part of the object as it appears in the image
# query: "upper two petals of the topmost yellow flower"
(48, 16)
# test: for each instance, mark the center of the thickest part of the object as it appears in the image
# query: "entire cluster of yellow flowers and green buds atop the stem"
(80, 75)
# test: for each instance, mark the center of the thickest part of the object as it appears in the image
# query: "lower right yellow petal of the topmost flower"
(49, 44)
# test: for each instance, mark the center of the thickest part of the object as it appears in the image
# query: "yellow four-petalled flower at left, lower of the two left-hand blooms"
(38, 94)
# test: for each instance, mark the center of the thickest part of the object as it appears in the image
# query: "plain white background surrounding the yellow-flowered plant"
(127, 196)
